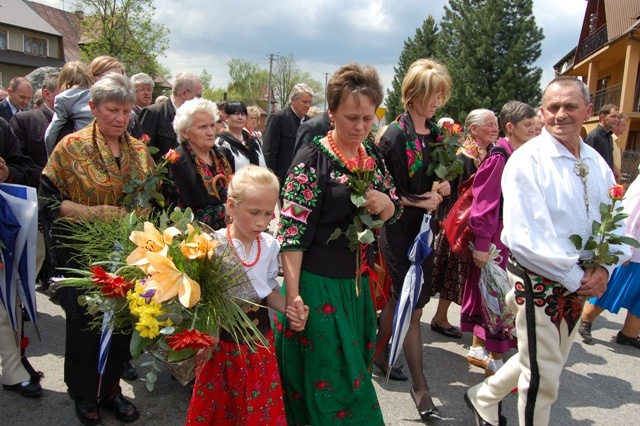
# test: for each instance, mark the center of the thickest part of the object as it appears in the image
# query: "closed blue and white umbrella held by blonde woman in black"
(418, 252)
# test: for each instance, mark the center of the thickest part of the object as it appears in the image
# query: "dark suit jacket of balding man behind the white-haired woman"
(157, 123)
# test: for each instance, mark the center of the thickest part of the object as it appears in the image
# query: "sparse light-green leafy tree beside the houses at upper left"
(125, 30)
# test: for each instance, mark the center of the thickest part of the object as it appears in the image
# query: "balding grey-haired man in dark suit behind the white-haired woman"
(157, 119)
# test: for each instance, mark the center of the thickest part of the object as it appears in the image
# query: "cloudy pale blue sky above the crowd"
(323, 34)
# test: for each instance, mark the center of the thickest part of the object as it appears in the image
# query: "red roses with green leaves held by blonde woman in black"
(444, 162)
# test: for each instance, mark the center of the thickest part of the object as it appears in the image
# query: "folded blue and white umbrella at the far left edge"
(18, 231)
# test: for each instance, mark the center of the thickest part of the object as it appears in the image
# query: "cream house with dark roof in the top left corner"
(27, 41)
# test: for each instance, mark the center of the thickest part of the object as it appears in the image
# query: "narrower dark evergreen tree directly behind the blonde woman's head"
(422, 45)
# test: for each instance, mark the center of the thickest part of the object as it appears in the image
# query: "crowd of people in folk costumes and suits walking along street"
(534, 182)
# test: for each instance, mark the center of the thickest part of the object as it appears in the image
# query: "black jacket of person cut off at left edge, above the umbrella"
(22, 170)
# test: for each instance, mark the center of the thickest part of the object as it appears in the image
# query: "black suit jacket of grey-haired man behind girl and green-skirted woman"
(279, 139)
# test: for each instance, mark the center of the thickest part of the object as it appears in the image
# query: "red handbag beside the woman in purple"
(455, 225)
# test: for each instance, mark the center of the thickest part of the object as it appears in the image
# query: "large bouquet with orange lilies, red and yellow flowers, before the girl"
(173, 292)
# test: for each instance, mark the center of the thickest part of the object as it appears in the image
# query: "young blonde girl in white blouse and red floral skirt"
(239, 385)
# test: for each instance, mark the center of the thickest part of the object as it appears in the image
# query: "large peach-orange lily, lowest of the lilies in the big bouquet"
(168, 282)
